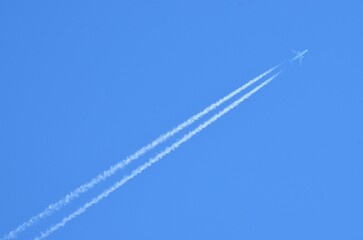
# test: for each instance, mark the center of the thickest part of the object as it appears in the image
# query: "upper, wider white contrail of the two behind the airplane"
(113, 169)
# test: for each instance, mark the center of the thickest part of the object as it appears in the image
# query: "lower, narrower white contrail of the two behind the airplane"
(153, 160)
